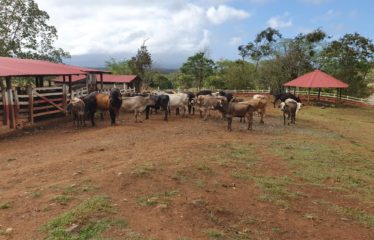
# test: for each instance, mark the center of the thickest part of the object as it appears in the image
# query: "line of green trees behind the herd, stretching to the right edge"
(267, 61)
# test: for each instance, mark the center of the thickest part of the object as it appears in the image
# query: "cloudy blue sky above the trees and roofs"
(94, 31)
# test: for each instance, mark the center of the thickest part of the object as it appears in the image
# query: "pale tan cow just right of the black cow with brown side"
(137, 104)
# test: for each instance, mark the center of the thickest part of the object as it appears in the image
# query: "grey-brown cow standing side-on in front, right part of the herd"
(233, 109)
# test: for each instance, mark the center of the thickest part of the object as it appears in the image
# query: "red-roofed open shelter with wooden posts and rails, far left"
(11, 68)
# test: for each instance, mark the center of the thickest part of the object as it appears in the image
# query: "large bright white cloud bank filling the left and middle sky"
(113, 26)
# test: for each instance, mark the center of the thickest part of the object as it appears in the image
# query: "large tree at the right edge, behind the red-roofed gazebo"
(350, 59)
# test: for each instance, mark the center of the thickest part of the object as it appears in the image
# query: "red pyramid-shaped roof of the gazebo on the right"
(316, 79)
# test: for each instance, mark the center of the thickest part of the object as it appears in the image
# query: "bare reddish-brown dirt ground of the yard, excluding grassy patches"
(181, 179)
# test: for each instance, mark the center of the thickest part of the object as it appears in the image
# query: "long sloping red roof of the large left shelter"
(15, 67)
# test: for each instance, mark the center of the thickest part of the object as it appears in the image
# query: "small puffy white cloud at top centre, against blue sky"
(222, 13)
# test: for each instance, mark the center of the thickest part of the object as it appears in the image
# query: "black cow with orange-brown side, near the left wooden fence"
(104, 102)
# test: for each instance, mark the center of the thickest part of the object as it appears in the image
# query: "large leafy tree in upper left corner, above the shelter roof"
(24, 32)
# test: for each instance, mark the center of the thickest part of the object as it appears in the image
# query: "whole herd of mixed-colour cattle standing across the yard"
(184, 103)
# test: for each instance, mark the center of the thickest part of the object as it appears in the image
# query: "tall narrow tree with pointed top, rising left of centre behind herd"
(141, 63)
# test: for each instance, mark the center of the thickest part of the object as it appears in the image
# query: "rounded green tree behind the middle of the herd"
(198, 66)
